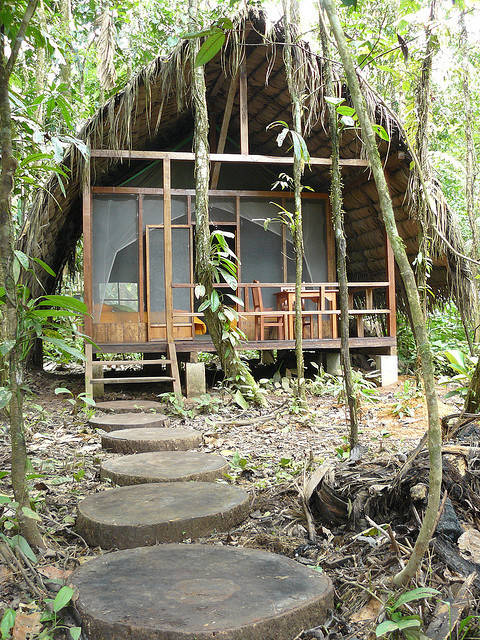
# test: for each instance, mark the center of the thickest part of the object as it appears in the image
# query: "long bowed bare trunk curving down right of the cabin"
(420, 330)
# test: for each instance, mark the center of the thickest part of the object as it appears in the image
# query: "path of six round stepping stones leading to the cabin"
(159, 591)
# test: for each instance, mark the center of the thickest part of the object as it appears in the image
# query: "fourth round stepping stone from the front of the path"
(155, 439)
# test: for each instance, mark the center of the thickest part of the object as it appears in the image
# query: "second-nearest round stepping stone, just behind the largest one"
(146, 514)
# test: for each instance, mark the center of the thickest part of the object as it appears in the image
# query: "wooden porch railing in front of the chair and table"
(321, 303)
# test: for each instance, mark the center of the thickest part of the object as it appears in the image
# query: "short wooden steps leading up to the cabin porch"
(95, 380)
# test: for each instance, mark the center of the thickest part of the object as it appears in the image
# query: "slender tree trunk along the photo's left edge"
(11, 365)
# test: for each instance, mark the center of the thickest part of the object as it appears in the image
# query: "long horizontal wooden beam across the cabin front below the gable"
(219, 157)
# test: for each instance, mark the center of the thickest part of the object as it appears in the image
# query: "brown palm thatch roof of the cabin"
(154, 112)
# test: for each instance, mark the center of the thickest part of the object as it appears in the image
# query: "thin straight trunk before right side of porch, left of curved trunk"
(341, 243)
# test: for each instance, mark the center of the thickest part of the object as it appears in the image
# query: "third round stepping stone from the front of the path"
(164, 466)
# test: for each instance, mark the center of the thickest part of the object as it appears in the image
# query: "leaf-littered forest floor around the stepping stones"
(271, 453)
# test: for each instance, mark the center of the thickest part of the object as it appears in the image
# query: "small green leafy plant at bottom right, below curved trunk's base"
(401, 618)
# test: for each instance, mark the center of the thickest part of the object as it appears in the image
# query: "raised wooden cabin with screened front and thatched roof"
(135, 205)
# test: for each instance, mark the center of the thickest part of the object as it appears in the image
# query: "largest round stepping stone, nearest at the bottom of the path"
(199, 592)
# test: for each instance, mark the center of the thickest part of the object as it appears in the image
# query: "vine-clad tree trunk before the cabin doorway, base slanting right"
(235, 369)
